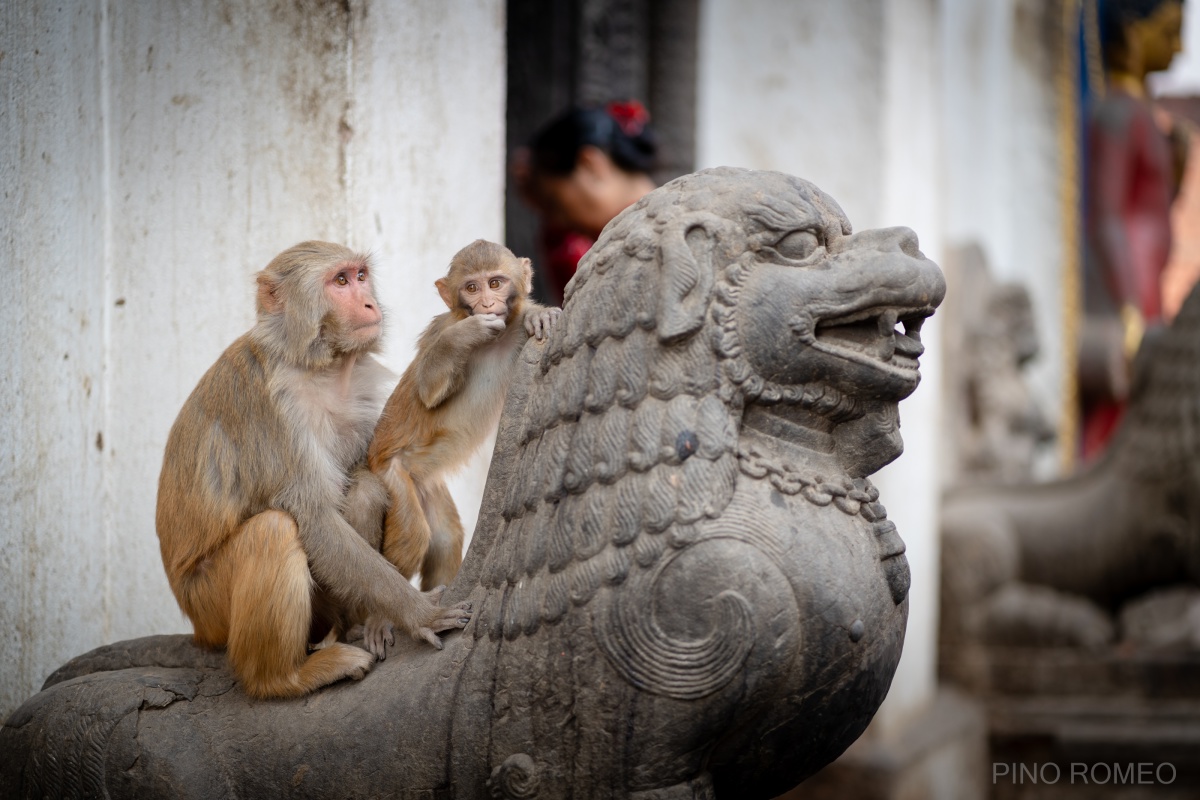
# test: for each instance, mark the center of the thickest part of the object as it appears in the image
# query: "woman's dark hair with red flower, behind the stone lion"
(622, 130)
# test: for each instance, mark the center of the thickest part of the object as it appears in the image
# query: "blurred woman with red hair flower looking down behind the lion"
(580, 171)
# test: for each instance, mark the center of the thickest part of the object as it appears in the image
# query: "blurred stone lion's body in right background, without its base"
(1053, 564)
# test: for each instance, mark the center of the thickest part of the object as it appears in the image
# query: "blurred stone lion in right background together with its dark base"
(1072, 607)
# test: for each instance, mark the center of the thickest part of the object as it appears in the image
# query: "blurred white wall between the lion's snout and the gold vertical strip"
(1004, 167)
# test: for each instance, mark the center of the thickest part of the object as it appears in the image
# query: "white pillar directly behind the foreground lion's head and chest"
(847, 95)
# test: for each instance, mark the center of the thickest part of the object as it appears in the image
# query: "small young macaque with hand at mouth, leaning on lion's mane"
(449, 400)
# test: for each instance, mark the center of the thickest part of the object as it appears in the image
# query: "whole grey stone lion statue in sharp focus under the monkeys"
(686, 585)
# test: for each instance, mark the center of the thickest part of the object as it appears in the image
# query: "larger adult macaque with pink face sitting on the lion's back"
(256, 472)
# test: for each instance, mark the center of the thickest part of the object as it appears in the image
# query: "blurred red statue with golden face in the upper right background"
(1133, 169)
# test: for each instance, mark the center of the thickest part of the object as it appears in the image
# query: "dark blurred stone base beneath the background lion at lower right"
(1112, 725)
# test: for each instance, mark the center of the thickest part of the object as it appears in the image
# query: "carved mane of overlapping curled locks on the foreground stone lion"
(611, 478)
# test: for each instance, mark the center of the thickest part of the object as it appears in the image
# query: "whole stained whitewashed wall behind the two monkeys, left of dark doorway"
(155, 155)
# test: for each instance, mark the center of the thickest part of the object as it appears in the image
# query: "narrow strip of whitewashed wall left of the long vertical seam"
(52, 338)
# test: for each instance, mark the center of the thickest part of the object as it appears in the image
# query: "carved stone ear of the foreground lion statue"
(687, 282)
